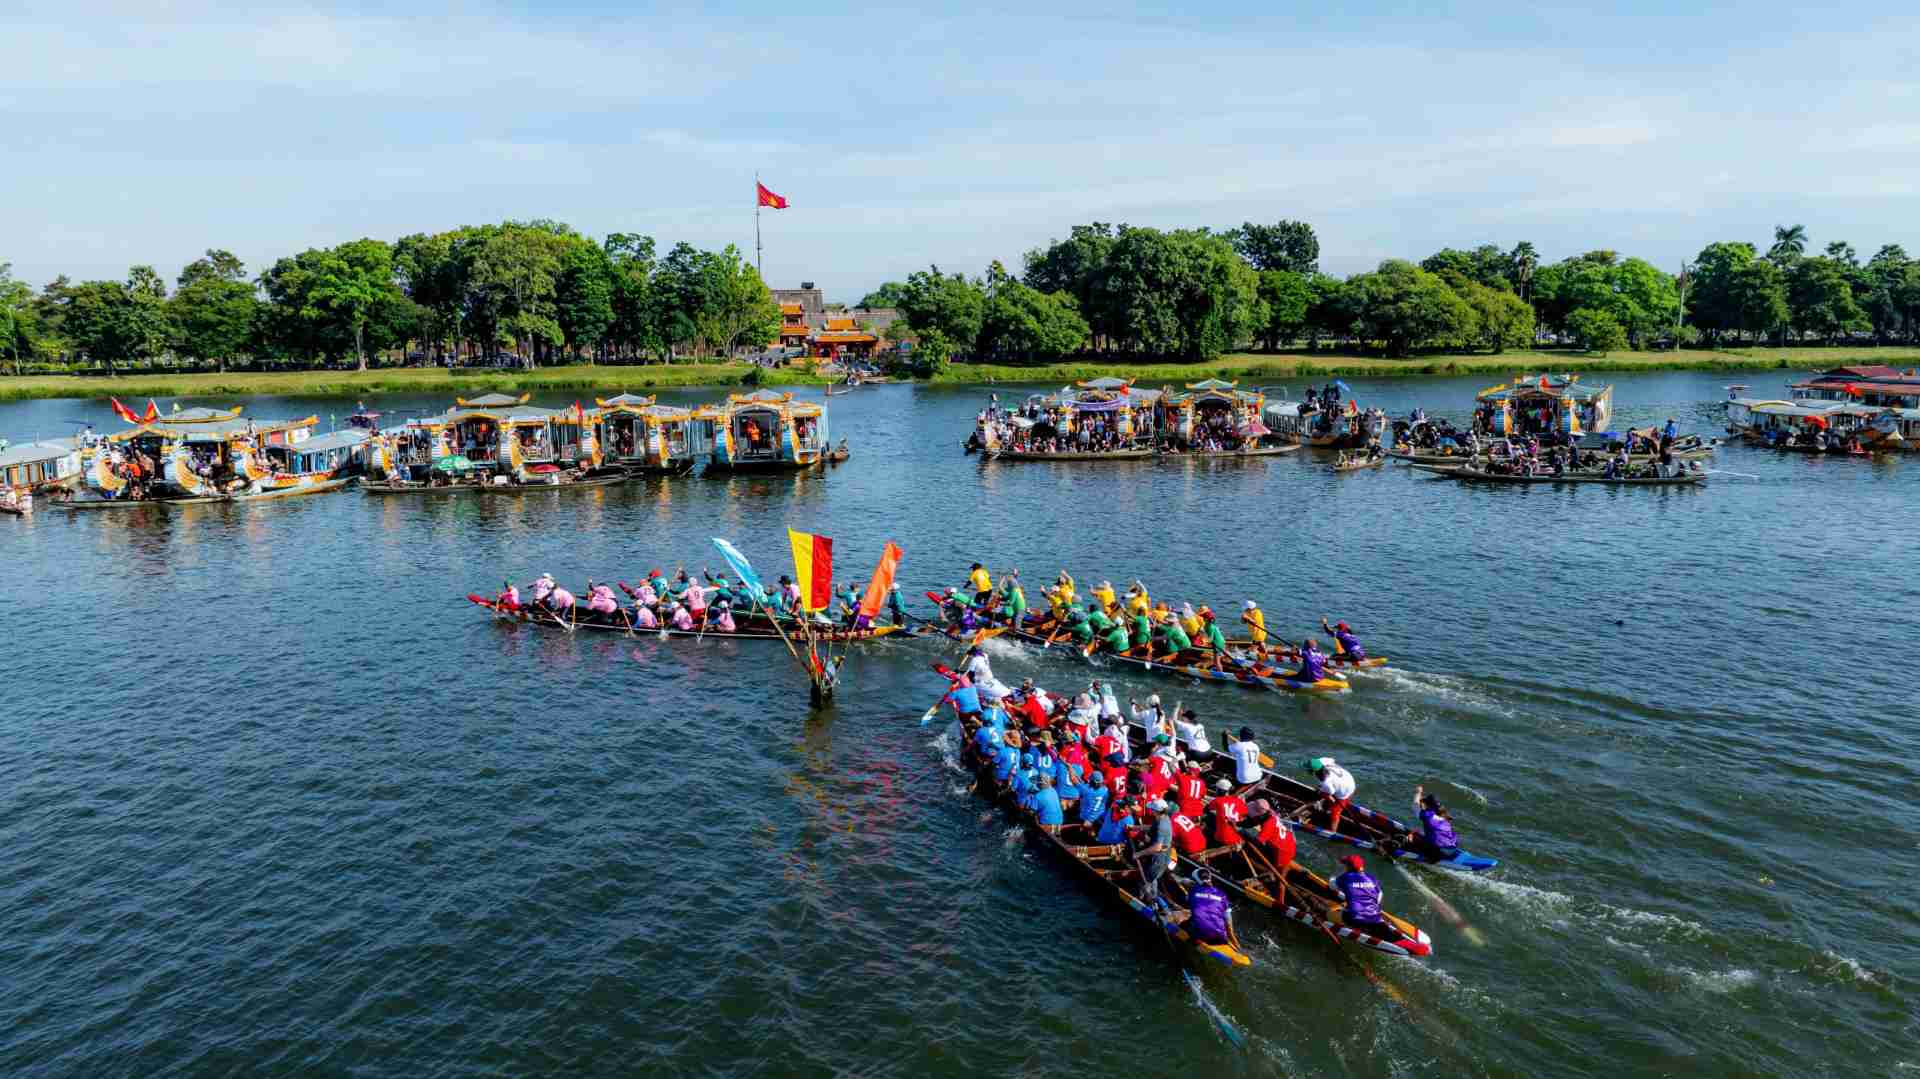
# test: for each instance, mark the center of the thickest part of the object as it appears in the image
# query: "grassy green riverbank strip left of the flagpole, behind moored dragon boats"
(400, 381)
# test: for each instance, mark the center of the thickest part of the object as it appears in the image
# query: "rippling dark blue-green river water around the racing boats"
(277, 802)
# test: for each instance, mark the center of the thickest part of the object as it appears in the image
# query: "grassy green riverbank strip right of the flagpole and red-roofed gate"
(1260, 368)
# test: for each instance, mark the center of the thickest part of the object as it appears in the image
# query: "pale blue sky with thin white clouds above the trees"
(145, 133)
